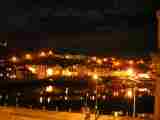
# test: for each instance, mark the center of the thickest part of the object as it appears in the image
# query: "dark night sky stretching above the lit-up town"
(115, 27)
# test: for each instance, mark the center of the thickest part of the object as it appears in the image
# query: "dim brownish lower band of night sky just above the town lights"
(116, 41)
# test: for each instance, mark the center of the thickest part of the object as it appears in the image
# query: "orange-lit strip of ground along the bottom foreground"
(11, 113)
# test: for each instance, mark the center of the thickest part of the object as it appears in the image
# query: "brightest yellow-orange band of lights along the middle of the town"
(128, 74)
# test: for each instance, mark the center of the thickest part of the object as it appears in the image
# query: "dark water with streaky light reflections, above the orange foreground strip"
(67, 99)
